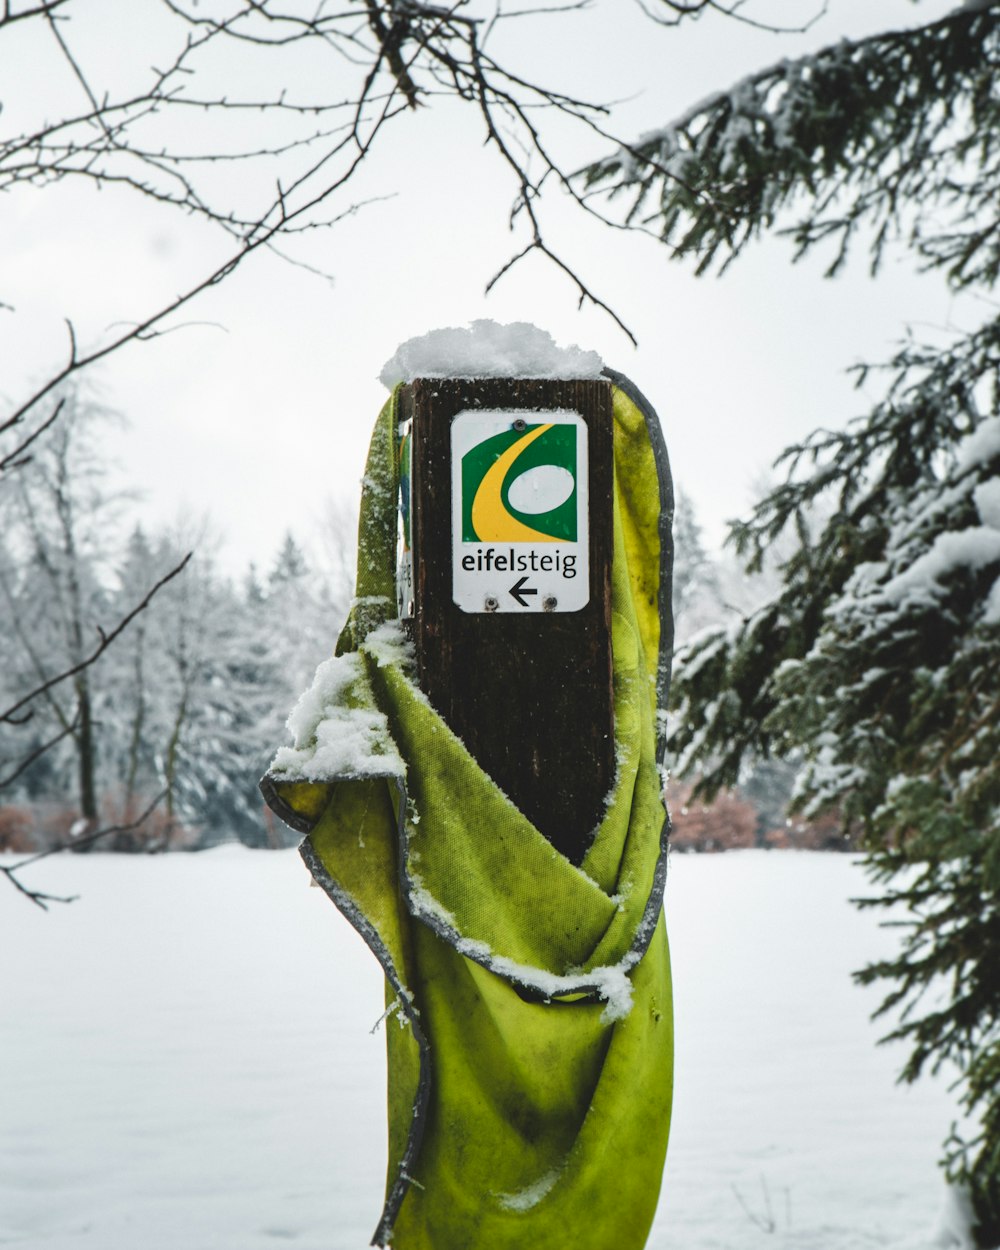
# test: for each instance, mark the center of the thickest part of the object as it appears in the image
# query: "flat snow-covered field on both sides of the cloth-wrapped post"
(187, 1062)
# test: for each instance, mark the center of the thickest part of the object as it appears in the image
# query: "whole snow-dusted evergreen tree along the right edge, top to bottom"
(879, 658)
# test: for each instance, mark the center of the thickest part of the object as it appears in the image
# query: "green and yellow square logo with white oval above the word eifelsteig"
(521, 487)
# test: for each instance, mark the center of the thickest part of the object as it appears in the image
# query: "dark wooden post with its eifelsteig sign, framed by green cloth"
(512, 534)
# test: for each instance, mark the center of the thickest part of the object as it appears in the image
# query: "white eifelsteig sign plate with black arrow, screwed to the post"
(521, 537)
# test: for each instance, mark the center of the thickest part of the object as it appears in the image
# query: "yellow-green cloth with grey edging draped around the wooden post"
(529, 1028)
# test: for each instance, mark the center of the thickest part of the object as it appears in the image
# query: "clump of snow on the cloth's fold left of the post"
(336, 734)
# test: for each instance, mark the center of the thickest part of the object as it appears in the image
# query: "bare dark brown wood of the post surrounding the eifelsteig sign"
(529, 694)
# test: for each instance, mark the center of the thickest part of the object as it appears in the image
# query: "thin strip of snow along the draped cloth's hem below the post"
(611, 983)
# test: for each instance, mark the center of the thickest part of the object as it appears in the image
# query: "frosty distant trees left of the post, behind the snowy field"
(188, 704)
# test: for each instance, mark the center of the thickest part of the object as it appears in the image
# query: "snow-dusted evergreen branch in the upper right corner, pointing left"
(874, 131)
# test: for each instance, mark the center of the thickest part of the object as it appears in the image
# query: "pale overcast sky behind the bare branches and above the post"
(261, 412)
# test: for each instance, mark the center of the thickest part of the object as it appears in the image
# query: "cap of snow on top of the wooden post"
(487, 349)
